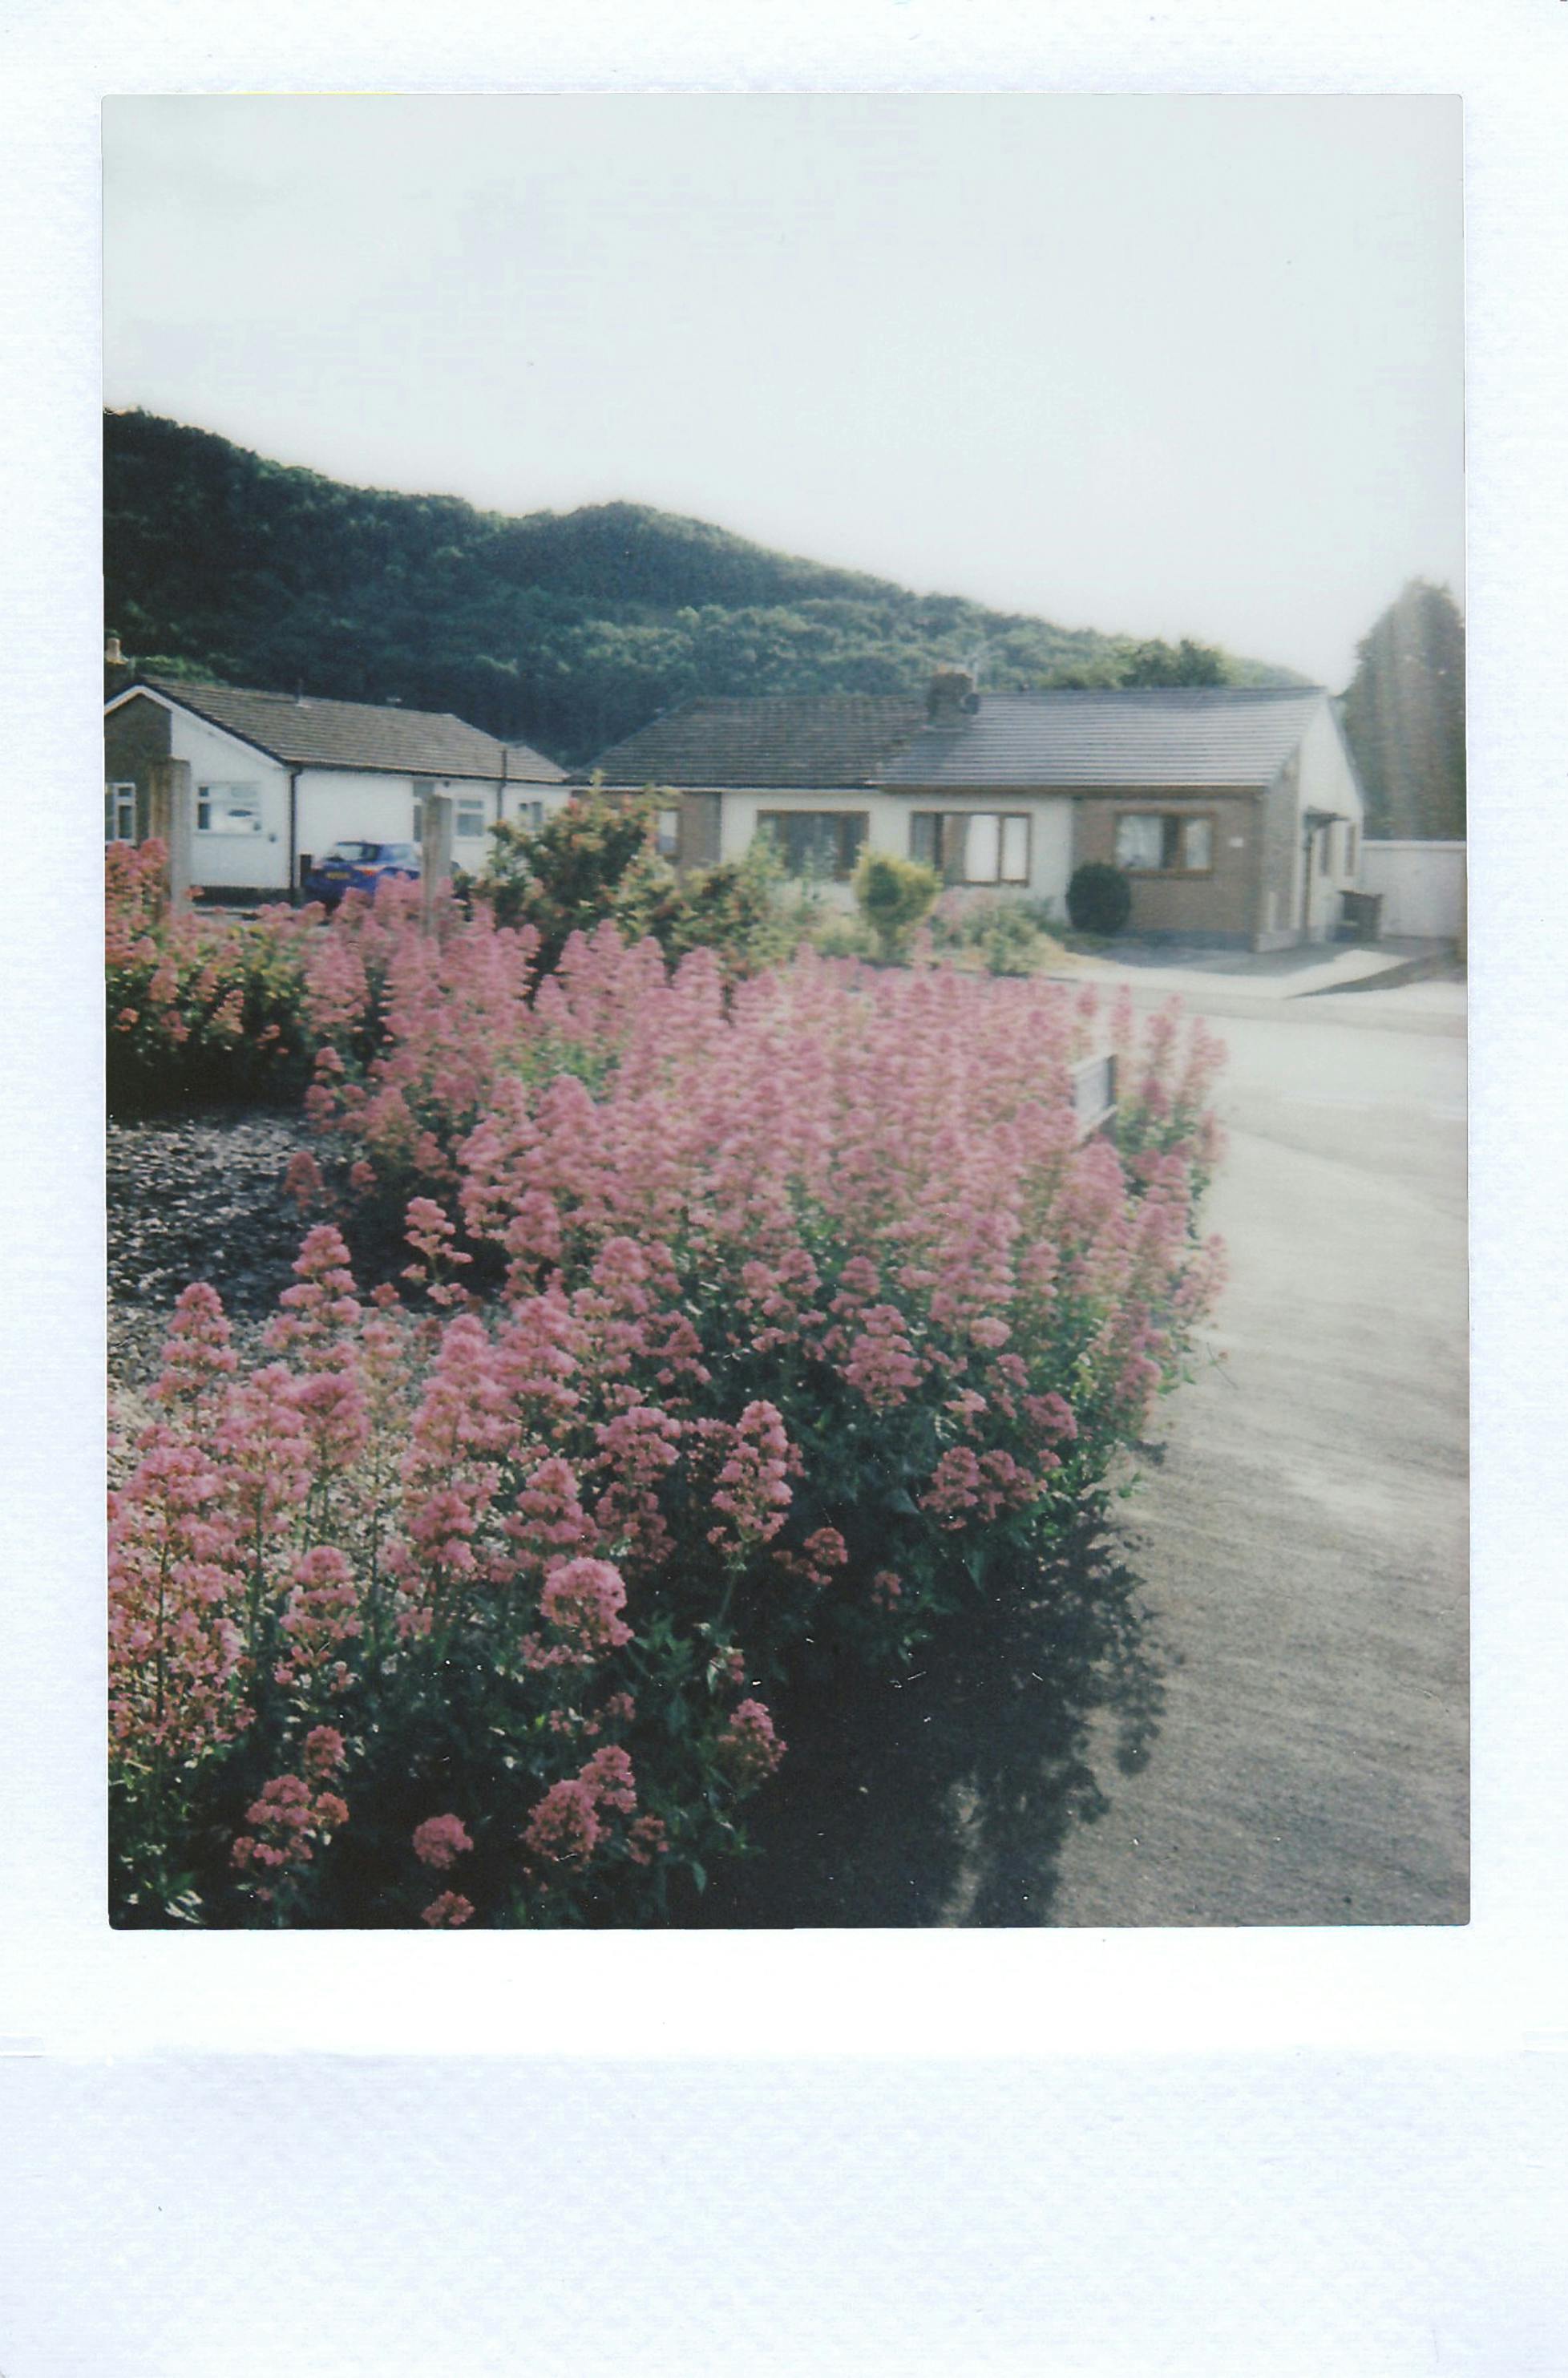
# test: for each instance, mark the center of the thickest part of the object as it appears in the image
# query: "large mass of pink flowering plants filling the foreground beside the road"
(748, 1326)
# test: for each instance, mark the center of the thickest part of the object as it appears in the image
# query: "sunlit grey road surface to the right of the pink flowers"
(1305, 1540)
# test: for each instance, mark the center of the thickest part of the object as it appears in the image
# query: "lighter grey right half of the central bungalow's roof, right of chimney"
(1127, 736)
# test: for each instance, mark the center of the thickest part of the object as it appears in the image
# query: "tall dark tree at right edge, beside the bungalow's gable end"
(1405, 717)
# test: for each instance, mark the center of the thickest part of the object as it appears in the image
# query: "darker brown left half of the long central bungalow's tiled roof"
(767, 741)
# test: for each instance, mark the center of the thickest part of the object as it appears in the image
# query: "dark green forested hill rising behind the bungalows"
(560, 629)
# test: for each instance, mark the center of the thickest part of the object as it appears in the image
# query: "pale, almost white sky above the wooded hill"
(1172, 367)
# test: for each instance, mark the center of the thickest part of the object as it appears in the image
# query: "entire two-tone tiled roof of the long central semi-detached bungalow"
(1127, 736)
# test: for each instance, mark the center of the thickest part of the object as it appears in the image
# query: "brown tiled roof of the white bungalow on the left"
(318, 734)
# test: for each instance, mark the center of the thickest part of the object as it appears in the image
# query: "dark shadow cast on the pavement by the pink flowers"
(943, 1797)
